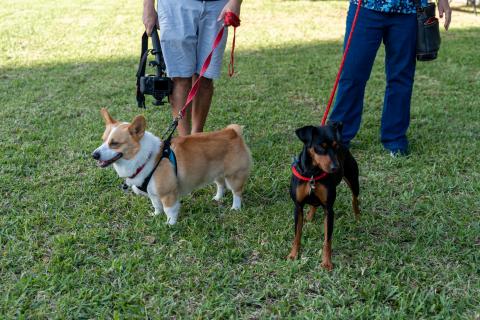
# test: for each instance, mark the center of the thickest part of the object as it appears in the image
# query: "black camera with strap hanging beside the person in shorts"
(159, 85)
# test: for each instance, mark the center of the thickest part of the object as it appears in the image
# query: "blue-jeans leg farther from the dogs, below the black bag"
(400, 45)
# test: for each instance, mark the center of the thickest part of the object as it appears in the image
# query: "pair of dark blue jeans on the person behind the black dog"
(398, 32)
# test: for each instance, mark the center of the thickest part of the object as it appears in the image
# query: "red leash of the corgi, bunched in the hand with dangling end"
(231, 19)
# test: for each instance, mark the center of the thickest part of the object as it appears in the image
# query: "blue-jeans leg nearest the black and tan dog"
(365, 41)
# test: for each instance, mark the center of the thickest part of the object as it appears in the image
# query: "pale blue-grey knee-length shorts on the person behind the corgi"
(187, 31)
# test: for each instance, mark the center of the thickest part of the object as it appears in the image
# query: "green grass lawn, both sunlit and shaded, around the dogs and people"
(72, 245)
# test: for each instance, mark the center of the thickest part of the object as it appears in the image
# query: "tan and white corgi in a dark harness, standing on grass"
(166, 171)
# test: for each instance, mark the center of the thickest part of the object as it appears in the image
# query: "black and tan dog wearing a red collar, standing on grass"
(321, 166)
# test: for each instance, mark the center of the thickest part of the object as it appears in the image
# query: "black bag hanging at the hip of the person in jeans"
(428, 32)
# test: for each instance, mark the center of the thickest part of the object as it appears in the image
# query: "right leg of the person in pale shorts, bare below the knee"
(207, 31)
